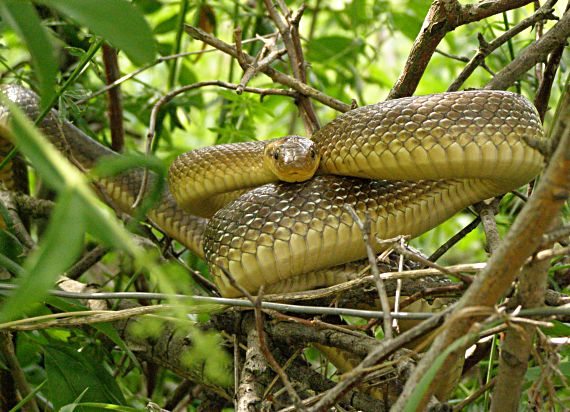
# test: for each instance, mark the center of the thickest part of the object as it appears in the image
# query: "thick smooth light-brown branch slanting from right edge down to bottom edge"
(503, 267)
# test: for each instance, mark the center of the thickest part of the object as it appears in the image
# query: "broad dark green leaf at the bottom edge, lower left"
(71, 372)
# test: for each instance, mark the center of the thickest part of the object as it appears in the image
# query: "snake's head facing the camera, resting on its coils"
(292, 158)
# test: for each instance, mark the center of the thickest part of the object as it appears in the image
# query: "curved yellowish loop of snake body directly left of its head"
(204, 180)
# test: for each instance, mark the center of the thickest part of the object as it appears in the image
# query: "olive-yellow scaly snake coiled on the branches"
(406, 164)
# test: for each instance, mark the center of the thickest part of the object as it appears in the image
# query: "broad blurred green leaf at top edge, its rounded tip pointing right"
(118, 21)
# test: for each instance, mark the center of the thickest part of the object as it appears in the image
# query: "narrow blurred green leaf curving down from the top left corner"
(24, 20)
